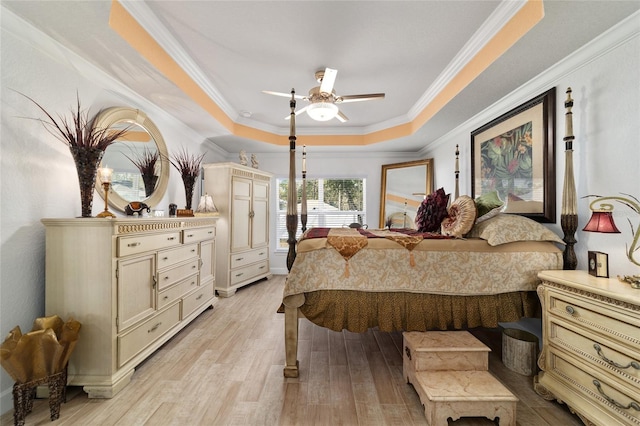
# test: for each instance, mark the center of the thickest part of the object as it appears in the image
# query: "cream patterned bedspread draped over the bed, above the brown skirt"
(384, 263)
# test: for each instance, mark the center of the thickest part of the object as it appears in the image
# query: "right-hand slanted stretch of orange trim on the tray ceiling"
(523, 21)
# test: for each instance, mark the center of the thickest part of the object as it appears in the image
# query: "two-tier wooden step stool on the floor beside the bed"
(449, 370)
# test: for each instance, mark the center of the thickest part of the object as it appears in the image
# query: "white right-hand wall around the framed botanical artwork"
(604, 78)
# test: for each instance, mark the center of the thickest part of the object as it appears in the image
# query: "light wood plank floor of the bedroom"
(226, 369)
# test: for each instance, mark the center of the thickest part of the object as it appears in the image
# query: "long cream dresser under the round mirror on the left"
(132, 283)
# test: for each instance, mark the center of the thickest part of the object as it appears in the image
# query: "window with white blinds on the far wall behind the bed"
(330, 203)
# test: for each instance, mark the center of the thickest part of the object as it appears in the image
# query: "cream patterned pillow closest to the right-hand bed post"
(507, 228)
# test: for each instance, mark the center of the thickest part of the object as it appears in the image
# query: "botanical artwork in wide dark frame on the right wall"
(514, 155)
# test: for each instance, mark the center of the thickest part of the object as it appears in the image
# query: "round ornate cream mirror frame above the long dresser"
(120, 115)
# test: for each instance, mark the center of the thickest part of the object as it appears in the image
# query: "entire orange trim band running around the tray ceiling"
(130, 30)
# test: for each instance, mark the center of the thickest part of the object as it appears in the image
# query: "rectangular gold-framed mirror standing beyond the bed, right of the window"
(403, 187)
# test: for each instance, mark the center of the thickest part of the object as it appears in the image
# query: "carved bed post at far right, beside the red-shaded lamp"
(569, 215)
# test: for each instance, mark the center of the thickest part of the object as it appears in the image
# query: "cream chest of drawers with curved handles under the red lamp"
(590, 358)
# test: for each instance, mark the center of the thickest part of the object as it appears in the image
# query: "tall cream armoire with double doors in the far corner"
(241, 195)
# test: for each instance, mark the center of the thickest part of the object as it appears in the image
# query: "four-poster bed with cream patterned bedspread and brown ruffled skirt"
(403, 279)
